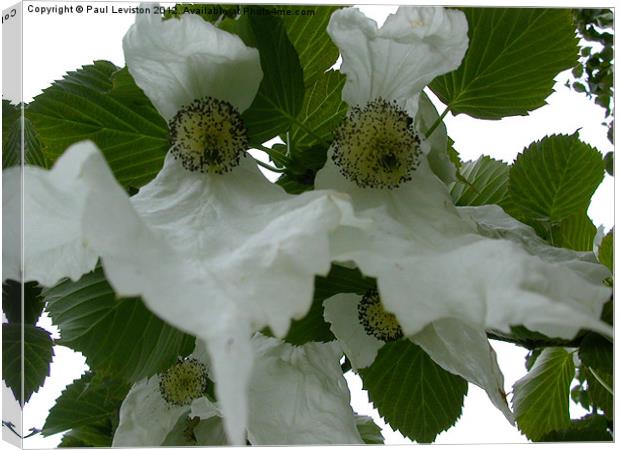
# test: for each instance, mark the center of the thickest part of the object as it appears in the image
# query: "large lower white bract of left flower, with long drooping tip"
(216, 256)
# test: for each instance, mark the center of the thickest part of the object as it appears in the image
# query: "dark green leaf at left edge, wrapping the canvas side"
(12, 139)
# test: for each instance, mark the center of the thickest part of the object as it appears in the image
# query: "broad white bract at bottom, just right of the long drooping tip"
(298, 396)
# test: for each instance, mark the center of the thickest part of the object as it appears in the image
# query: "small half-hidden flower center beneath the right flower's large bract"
(376, 321)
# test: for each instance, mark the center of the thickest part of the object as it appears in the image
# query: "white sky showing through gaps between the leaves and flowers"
(55, 44)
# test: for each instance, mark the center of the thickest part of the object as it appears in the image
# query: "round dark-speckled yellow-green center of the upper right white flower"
(376, 146)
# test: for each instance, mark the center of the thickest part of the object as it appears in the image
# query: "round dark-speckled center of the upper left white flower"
(208, 135)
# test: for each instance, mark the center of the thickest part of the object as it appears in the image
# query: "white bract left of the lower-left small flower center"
(145, 417)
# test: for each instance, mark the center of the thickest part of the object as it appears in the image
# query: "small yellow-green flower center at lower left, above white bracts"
(184, 382)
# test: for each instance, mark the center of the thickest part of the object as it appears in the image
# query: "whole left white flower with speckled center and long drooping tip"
(218, 254)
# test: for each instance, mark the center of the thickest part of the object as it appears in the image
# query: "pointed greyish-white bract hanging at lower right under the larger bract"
(465, 351)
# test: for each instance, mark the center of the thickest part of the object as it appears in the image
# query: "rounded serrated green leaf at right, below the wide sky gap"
(554, 178)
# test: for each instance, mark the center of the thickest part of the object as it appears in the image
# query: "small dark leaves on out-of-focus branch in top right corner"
(594, 73)
